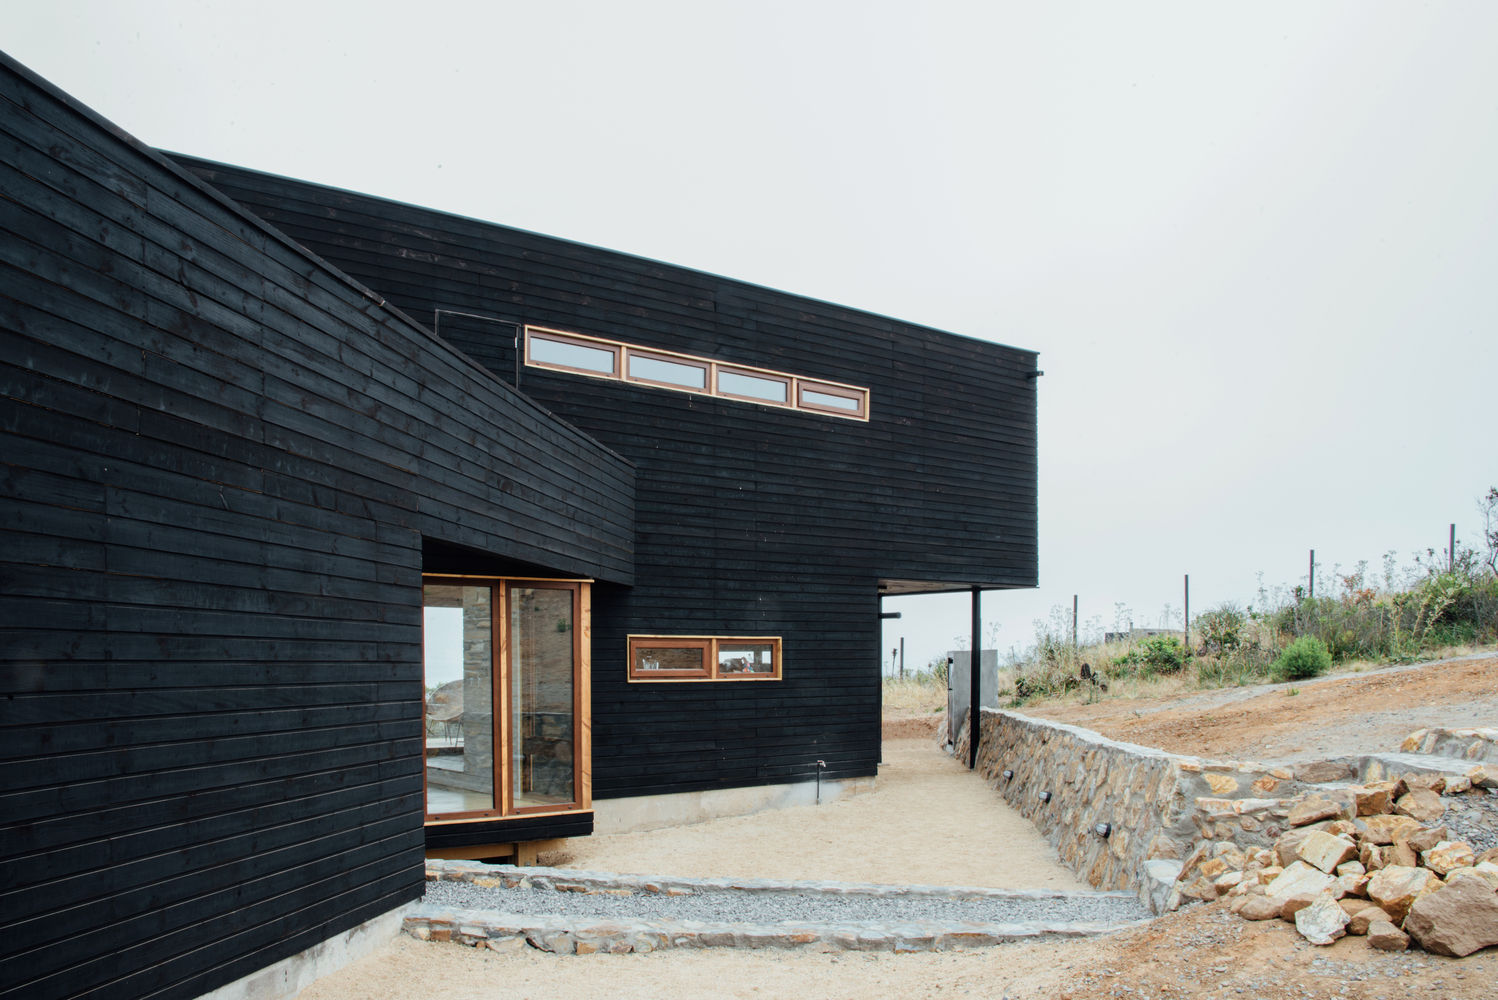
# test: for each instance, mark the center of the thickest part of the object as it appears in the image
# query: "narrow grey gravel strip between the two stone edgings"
(775, 908)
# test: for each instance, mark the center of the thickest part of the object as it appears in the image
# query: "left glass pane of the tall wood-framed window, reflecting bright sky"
(461, 719)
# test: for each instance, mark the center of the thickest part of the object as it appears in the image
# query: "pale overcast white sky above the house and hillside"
(1255, 243)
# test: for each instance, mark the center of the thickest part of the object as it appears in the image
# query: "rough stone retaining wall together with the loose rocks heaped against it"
(1335, 847)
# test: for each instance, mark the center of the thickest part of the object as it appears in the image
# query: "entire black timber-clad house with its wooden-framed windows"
(339, 532)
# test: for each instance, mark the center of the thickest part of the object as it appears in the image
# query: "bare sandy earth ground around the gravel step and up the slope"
(916, 829)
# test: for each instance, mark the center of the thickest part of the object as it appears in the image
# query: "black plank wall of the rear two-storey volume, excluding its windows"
(750, 520)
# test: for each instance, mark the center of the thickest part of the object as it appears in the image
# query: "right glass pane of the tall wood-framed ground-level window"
(542, 643)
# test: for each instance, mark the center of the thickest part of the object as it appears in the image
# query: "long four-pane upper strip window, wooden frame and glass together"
(618, 362)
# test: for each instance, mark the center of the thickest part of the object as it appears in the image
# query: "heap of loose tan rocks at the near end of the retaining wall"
(1370, 860)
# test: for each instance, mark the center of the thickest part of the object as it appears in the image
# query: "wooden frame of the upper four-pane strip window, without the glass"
(622, 353)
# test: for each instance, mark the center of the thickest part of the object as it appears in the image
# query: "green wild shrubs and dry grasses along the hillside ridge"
(1443, 603)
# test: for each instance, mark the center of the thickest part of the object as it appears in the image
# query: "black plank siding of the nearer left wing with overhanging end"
(221, 462)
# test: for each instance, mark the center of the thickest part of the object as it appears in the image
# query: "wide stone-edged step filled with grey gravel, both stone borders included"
(582, 912)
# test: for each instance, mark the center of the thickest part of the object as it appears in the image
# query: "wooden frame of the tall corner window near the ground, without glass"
(501, 698)
